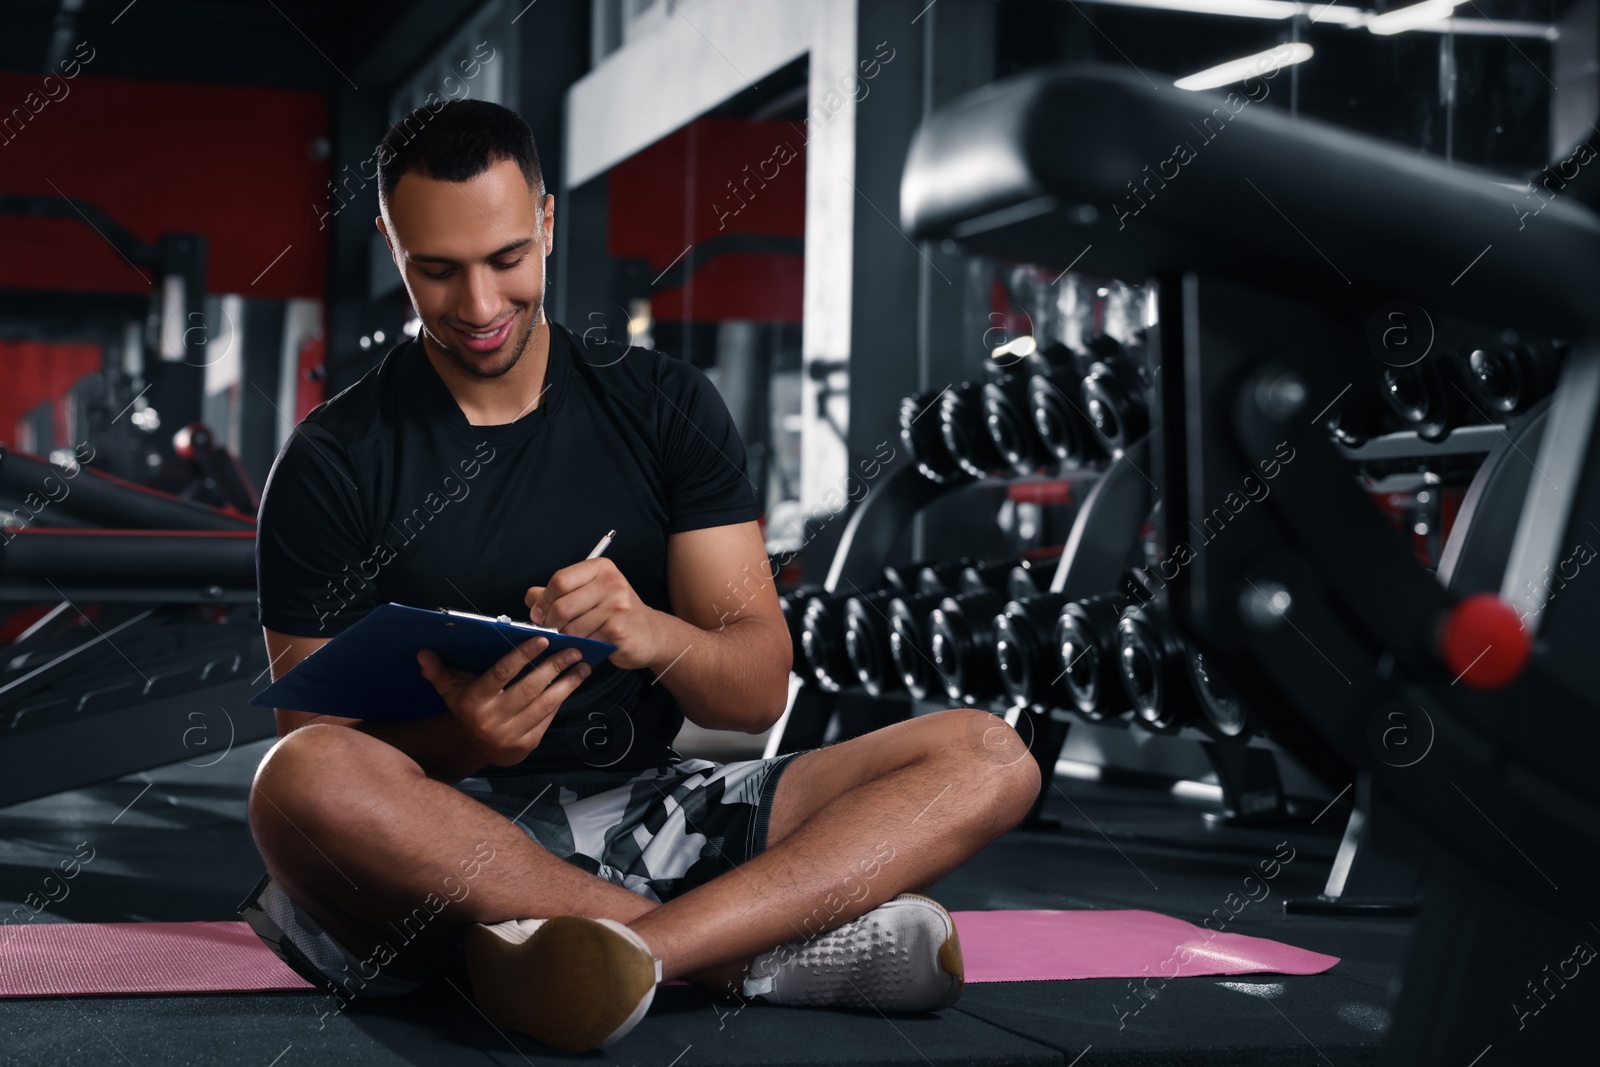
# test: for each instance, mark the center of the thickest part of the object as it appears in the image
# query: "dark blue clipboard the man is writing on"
(370, 671)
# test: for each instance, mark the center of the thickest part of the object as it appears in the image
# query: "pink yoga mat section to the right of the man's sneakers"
(1052, 946)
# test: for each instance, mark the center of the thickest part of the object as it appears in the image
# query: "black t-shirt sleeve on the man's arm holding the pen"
(703, 455)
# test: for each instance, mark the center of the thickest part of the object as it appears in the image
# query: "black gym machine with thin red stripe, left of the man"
(132, 623)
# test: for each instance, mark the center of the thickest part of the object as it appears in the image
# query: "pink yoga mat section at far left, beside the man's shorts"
(92, 959)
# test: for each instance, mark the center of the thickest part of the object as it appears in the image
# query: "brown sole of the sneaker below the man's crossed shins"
(577, 985)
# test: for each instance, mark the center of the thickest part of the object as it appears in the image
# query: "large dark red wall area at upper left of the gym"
(233, 164)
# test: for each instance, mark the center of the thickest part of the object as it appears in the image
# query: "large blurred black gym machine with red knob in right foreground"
(1278, 252)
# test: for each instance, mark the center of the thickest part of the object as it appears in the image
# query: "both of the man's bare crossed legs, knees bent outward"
(354, 831)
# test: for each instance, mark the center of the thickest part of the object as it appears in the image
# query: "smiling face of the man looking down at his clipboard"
(473, 260)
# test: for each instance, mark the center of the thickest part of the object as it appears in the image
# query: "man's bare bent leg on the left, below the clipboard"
(354, 831)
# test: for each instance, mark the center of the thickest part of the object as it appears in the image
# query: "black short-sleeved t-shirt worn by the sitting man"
(388, 494)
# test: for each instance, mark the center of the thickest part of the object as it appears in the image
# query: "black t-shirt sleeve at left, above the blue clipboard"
(311, 549)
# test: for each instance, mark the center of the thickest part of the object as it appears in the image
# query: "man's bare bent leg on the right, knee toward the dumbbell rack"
(910, 804)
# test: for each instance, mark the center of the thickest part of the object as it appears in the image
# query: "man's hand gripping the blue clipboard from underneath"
(506, 725)
